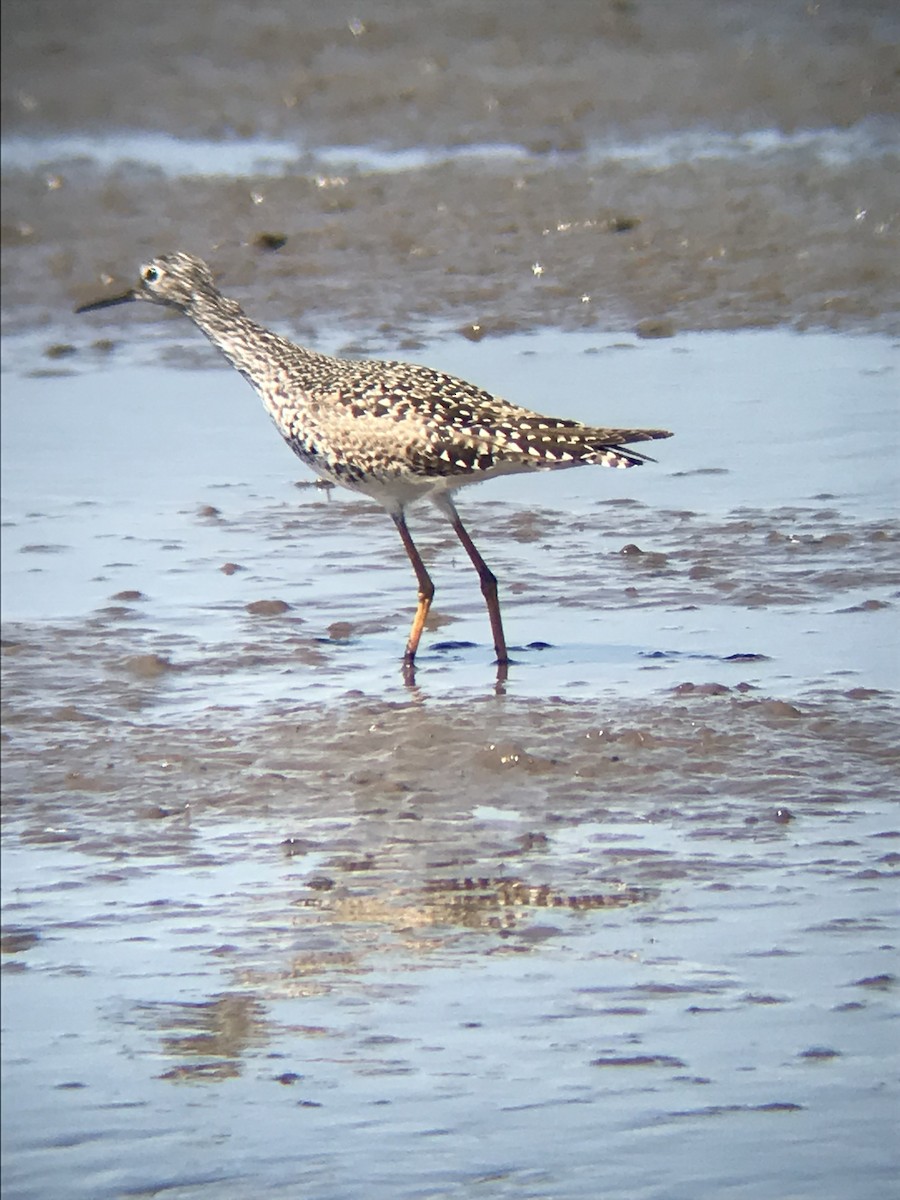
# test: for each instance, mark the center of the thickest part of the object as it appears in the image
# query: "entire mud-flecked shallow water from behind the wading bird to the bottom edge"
(603, 927)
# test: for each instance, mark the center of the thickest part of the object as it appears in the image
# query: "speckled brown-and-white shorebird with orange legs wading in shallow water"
(394, 431)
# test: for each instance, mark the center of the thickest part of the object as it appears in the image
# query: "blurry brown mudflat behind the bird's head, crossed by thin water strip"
(664, 167)
